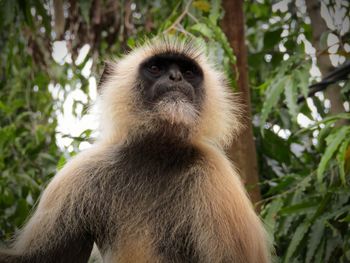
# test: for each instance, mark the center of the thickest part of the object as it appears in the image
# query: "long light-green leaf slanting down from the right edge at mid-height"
(333, 142)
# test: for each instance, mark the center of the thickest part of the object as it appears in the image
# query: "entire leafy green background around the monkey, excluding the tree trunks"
(303, 148)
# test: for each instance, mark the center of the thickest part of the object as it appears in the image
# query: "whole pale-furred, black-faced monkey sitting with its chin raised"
(156, 186)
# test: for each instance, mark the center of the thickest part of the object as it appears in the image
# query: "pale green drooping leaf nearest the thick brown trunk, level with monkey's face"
(272, 96)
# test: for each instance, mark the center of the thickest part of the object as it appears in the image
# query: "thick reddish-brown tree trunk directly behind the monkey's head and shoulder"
(242, 150)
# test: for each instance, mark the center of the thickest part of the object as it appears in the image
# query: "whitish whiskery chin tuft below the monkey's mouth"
(177, 111)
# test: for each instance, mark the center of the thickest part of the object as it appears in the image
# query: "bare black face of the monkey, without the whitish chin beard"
(171, 77)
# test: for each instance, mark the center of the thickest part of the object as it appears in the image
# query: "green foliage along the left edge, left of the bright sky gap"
(28, 152)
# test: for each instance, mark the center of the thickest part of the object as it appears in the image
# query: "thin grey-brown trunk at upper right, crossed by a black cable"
(319, 27)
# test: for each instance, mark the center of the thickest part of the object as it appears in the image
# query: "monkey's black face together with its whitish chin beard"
(171, 87)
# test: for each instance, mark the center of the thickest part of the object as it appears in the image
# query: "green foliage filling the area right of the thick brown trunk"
(305, 169)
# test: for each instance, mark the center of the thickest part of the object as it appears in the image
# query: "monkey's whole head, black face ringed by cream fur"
(166, 87)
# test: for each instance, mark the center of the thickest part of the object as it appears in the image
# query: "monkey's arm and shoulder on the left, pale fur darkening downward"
(59, 230)
